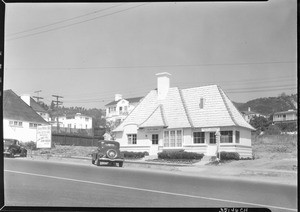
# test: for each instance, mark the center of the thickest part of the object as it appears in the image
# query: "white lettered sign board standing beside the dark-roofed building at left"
(43, 136)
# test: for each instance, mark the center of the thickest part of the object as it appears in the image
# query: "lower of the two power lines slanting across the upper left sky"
(77, 22)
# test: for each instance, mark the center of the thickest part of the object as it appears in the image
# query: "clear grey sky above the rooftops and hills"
(88, 52)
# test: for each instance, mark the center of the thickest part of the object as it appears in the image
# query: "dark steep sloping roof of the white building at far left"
(15, 108)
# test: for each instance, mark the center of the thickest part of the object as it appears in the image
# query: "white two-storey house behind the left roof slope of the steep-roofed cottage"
(118, 110)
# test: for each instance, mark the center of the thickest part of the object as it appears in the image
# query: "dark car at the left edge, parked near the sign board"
(12, 147)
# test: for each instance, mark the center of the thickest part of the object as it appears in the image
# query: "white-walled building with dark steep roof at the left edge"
(20, 121)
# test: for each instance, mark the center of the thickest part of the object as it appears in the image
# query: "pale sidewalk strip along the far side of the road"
(200, 170)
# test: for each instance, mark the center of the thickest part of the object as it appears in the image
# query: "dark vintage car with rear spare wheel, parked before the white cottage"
(108, 151)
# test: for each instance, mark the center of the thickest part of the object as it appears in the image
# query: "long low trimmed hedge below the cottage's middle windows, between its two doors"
(180, 155)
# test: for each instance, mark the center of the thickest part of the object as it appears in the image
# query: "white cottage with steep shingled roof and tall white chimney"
(192, 119)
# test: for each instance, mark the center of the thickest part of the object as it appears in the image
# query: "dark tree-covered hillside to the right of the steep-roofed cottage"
(269, 105)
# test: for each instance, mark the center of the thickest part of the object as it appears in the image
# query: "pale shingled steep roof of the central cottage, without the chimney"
(180, 109)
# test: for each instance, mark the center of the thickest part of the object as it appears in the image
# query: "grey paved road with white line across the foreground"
(45, 183)
